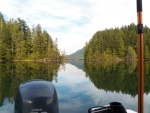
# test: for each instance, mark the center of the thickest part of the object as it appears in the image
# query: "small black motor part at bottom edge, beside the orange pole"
(113, 107)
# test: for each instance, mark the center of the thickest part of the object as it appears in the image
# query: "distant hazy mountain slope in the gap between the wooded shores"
(79, 54)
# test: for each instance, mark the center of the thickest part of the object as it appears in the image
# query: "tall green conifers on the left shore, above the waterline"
(19, 42)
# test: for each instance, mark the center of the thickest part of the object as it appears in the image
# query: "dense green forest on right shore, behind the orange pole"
(116, 43)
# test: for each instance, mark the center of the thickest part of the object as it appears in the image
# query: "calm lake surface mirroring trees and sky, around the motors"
(79, 84)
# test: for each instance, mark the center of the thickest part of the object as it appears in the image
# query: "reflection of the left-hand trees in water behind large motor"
(14, 73)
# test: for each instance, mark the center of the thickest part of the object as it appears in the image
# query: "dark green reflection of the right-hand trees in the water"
(117, 77)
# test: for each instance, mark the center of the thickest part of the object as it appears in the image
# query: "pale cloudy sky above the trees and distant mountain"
(74, 22)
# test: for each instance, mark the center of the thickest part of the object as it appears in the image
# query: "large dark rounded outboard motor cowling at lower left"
(36, 96)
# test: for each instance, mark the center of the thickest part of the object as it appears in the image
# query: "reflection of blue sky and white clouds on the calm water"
(79, 93)
